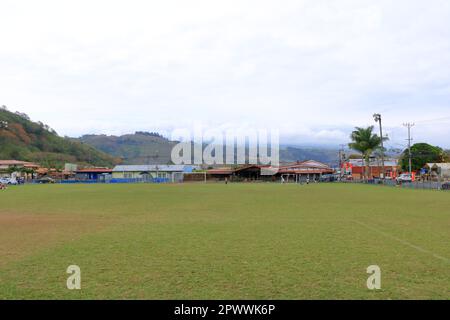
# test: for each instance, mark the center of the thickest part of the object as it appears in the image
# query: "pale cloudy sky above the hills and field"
(312, 69)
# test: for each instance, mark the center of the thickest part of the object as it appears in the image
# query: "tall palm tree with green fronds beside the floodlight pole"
(366, 142)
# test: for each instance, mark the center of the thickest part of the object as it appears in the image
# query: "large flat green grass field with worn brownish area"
(216, 241)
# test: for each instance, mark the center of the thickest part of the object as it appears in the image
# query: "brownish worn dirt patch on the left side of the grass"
(25, 234)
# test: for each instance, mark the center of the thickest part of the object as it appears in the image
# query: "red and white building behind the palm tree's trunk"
(356, 168)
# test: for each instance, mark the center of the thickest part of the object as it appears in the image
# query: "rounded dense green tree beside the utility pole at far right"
(421, 154)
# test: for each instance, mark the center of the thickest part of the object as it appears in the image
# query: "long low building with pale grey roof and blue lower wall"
(149, 173)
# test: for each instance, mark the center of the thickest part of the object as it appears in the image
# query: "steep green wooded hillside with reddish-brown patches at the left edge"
(23, 139)
